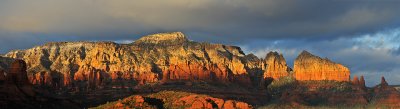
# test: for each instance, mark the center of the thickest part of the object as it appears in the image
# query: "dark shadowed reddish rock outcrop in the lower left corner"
(17, 93)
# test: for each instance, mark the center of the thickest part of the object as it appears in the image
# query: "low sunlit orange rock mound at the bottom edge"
(173, 100)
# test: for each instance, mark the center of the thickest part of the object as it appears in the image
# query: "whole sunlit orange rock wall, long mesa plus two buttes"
(160, 58)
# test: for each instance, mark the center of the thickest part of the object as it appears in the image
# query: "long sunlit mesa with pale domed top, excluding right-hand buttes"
(153, 58)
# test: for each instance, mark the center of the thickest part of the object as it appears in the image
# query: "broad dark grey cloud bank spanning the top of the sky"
(222, 19)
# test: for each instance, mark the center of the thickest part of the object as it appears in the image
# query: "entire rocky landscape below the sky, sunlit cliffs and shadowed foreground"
(157, 66)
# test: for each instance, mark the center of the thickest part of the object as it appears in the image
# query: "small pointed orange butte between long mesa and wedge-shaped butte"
(276, 66)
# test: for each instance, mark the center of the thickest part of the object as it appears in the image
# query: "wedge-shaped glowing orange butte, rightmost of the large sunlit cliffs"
(310, 67)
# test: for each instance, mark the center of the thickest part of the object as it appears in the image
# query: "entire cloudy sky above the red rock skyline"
(361, 34)
